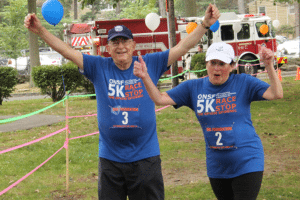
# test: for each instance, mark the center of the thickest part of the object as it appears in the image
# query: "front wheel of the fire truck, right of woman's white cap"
(247, 66)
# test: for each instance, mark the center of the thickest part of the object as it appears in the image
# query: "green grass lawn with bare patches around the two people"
(181, 143)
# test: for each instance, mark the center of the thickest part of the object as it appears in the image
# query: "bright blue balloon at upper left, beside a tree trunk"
(52, 11)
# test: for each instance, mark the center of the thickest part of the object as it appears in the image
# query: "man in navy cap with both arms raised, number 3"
(129, 155)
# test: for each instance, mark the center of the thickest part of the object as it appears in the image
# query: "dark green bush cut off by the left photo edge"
(8, 80)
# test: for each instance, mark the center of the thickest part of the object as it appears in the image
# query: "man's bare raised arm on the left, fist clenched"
(33, 24)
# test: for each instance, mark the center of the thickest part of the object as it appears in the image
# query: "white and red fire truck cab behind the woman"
(244, 33)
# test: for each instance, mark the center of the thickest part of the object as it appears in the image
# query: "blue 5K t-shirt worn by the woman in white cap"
(232, 146)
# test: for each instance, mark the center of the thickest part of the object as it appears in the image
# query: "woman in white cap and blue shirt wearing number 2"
(221, 101)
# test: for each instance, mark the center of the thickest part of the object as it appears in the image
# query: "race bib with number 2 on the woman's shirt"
(220, 138)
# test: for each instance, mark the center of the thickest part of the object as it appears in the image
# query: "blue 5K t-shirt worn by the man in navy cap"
(126, 113)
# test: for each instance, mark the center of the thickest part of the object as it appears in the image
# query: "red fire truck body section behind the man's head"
(92, 38)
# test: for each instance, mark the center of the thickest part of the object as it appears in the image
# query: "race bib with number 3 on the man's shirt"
(125, 117)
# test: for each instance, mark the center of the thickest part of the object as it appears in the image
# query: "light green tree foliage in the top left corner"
(13, 34)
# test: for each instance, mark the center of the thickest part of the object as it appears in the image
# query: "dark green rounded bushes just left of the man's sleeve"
(49, 79)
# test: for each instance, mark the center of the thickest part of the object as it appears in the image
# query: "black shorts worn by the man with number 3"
(137, 180)
